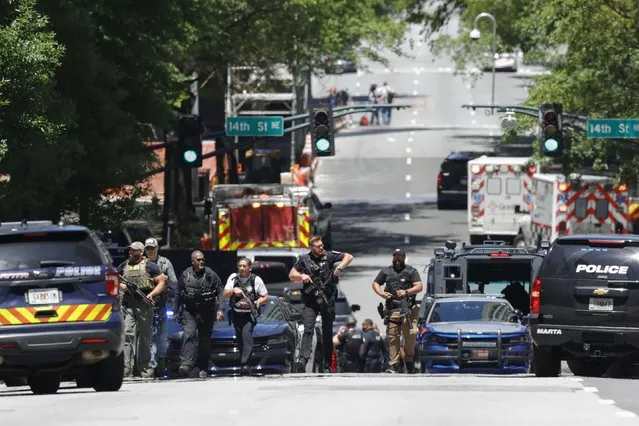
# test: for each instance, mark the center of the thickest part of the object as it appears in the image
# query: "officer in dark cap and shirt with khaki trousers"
(400, 281)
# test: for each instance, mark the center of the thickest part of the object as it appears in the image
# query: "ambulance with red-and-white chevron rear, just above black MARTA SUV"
(578, 205)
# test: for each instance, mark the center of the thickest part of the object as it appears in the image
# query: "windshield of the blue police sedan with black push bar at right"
(471, 310)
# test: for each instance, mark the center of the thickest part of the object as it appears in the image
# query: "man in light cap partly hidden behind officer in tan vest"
(160, 326)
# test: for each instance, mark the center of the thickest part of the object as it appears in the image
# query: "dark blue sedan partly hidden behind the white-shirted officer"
(276, 342)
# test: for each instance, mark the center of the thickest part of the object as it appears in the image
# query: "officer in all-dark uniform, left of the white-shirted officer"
(198, 297)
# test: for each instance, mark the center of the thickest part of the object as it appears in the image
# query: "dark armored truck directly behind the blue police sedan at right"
(489, 268)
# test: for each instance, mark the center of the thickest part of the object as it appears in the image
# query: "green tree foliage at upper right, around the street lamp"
(591, 47)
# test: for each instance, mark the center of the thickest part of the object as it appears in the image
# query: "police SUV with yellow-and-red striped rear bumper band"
(59, 308)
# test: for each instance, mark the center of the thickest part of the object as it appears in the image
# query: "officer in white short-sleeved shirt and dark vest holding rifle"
(240, 285)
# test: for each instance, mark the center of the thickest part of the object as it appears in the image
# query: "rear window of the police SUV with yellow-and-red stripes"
(26, 251)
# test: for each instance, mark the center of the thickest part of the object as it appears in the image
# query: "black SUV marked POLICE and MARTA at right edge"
(584, 305)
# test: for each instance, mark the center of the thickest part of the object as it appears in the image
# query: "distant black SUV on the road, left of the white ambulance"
(452, 180)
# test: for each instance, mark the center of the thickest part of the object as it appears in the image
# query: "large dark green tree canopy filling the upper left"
(82, 82)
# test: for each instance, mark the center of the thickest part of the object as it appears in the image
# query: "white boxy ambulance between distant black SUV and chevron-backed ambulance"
(499, 198)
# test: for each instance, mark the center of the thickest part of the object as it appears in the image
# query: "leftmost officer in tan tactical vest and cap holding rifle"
(138, 314)
